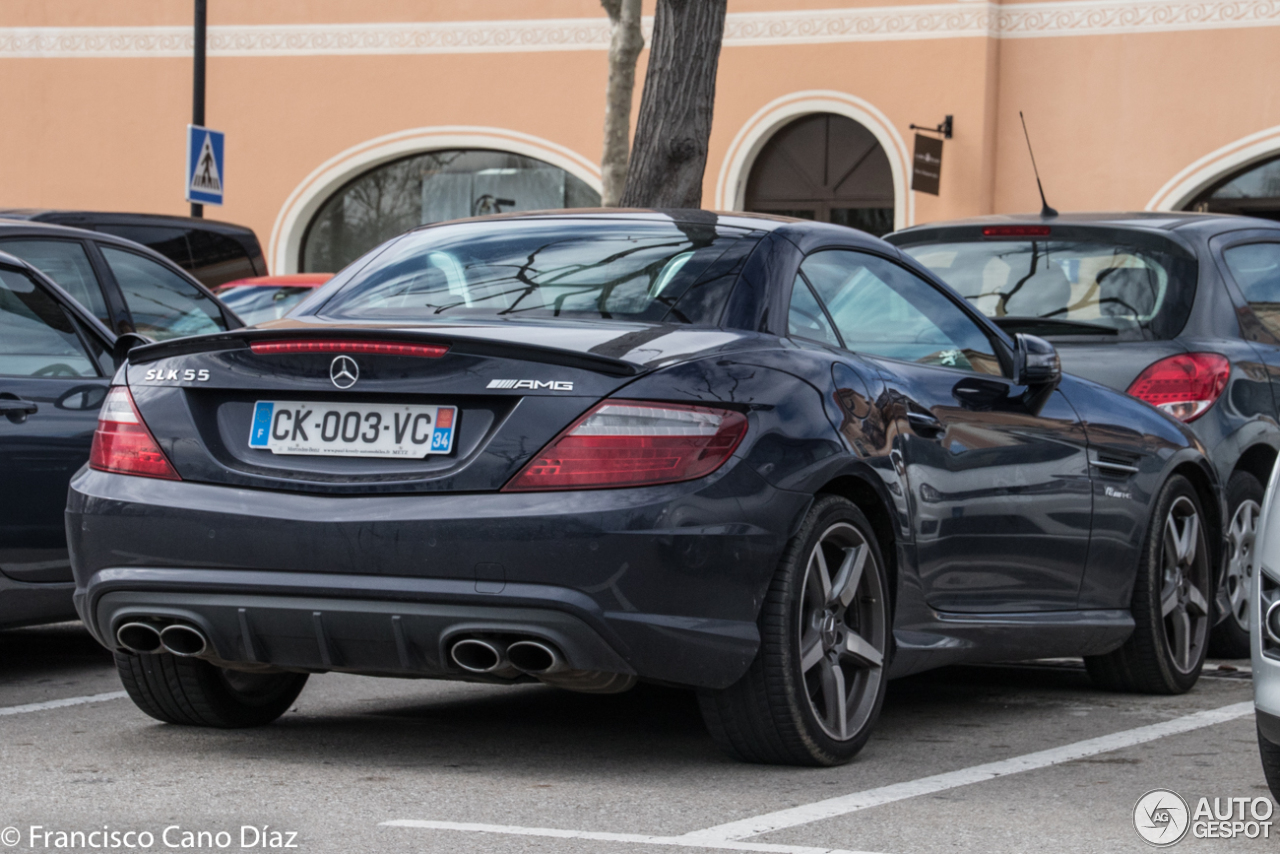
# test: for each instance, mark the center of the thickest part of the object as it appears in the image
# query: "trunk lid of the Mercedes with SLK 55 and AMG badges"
(514, 387)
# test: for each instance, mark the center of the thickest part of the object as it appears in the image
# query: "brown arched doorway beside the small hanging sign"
(829, 168)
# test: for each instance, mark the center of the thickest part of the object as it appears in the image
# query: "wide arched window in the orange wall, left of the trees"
(432, 188)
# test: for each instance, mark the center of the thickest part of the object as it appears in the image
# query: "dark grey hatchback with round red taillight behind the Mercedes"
(1181, 310)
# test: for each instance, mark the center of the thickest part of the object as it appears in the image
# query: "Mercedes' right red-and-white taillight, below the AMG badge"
(634, 444)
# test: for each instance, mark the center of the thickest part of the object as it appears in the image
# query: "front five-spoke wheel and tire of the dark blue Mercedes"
(1171, 604)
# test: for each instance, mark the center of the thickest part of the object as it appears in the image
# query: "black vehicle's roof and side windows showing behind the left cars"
(211, 252)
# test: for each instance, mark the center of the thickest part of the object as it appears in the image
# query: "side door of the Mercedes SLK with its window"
(999, 486)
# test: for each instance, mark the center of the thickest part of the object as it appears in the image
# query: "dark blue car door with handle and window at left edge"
(53, 380)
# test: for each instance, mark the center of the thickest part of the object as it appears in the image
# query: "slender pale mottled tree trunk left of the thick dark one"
(625, 44)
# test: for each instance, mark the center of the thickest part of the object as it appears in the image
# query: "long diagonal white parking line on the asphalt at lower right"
(845, 805)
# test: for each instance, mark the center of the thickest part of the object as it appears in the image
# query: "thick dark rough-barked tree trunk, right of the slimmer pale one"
(670, 153)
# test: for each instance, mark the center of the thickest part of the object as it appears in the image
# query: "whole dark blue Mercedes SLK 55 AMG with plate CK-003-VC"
(771, 460)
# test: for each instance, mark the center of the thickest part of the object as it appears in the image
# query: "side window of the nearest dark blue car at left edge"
(36, 336)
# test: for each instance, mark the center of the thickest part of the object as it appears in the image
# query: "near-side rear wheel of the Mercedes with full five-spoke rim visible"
(821, 643)
